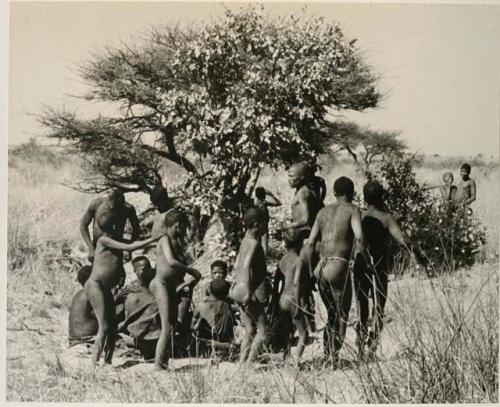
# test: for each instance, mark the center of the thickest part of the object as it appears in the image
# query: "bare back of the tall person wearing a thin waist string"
(337, 236)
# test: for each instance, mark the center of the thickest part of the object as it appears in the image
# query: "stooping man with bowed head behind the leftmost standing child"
(111, 210)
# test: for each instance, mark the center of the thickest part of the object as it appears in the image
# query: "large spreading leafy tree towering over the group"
(223, 102)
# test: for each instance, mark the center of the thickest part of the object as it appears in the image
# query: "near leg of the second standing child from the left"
(161, 294)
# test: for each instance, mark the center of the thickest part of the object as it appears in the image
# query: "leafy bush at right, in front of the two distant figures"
(441, 234)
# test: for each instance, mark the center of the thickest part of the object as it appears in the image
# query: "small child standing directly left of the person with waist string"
(293, 273)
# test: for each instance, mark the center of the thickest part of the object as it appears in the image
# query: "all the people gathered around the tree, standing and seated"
(335, 249)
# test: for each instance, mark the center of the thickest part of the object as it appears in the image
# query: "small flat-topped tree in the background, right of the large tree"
(363, 144)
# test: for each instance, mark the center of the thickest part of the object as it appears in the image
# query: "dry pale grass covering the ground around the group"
(450, 324)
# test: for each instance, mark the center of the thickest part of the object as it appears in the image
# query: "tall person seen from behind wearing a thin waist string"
(339, 228)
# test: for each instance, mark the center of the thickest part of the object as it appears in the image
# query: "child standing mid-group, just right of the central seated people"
(250, 288)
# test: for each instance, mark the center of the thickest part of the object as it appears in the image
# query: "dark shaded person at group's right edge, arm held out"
(378, 228)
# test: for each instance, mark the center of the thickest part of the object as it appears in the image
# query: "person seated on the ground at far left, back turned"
(82, 320)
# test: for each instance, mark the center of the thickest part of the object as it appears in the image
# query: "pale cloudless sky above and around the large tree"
(439, 65)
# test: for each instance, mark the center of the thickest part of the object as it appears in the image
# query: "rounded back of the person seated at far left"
(82, 321)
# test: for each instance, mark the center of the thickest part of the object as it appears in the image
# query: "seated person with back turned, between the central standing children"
(213, 320)
